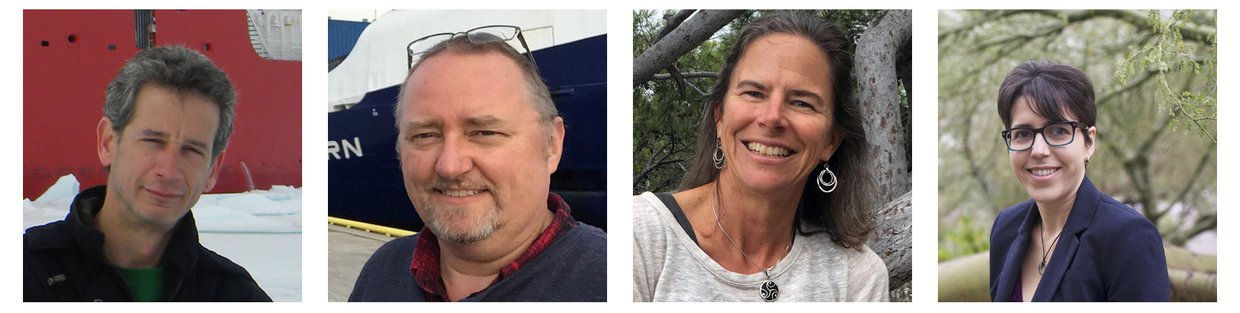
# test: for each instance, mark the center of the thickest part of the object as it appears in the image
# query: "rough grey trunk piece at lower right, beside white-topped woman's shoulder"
(893, 240)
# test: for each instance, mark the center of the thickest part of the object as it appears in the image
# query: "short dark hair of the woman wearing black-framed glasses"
(1051, 89)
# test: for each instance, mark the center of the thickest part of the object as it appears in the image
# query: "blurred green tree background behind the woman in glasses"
(1155, 80)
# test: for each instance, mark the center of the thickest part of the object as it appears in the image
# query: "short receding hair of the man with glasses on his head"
(536, 90)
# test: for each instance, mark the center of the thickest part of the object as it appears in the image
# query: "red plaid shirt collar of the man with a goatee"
(426, 258)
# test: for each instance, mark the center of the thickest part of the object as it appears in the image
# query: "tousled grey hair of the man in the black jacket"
(174, 68)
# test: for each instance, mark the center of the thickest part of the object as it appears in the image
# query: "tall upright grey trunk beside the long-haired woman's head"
(879, 52)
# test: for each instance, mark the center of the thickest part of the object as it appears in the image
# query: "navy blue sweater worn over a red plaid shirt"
(573, 269)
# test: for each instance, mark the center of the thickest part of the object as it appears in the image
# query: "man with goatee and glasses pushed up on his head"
(479, 138)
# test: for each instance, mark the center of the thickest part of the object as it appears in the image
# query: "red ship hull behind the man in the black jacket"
(71, 57)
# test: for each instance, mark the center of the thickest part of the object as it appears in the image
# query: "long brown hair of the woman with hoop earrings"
(845, 214)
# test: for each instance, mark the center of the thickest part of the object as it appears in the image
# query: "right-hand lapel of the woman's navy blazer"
(1066, 250)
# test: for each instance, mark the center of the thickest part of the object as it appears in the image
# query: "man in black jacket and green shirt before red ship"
(168, 119)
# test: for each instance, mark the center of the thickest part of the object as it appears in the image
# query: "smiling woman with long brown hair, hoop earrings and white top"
(776, 206)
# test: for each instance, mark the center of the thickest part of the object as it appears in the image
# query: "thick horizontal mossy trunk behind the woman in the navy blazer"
(1193, 278)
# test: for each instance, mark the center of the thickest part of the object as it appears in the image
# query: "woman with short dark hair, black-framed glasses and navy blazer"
(1069, 243)
